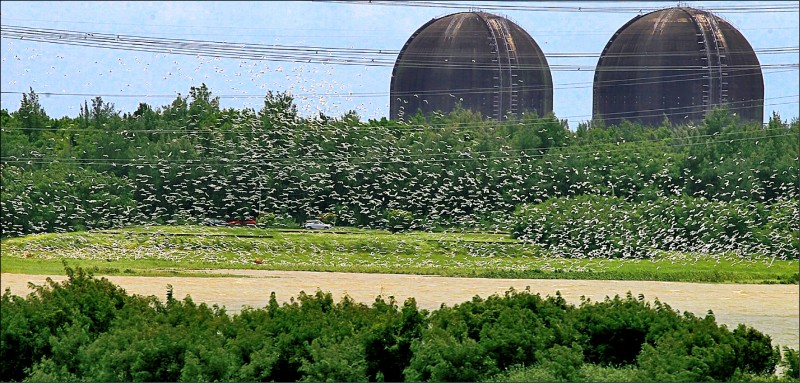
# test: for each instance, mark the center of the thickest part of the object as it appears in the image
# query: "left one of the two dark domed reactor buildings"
(484, 62)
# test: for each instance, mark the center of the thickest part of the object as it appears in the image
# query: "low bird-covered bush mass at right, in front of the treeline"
(597, 226)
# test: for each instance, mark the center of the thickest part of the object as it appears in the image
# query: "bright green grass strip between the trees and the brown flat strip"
(182, 250)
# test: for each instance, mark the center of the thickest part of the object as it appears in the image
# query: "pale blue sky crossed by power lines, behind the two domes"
(129, 77)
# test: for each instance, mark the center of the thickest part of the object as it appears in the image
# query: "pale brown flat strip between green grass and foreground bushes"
(772, 309)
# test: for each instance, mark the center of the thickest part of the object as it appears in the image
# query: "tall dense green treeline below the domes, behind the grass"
(192, 159)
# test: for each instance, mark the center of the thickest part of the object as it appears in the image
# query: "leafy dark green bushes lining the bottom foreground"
(88, 329)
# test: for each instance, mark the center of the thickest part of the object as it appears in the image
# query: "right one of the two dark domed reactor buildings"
(679, 63)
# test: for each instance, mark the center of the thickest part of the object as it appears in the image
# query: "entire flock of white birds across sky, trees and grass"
(358, 170)
